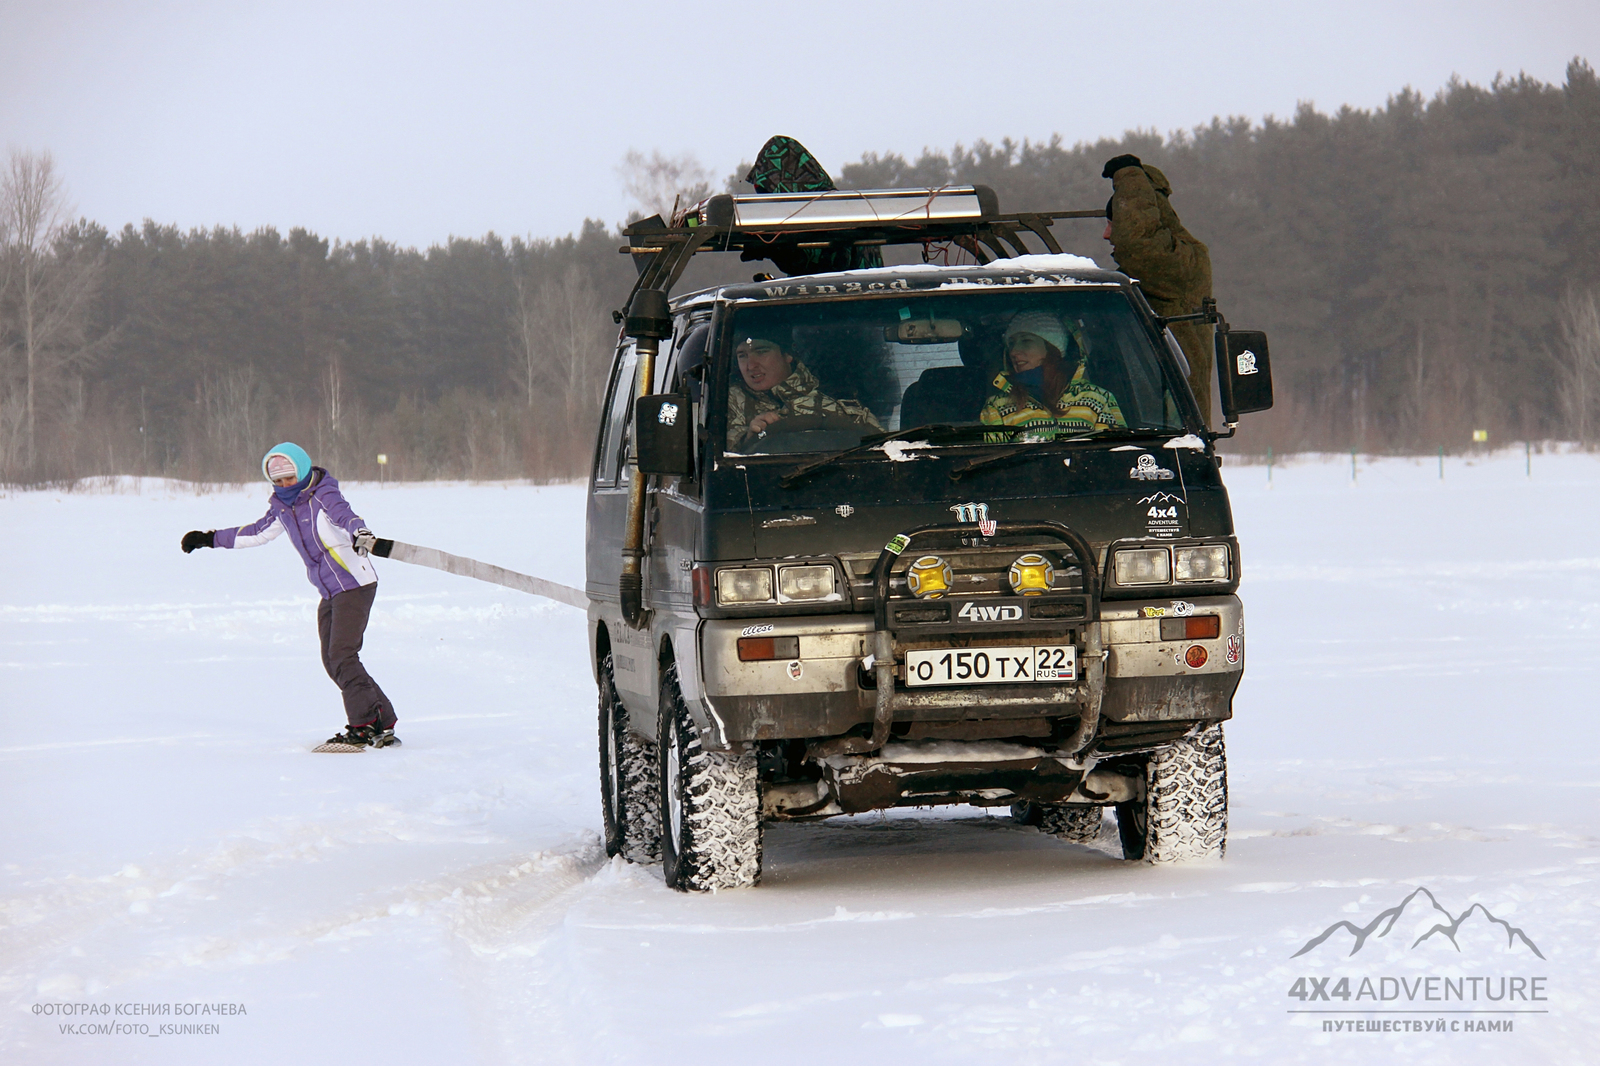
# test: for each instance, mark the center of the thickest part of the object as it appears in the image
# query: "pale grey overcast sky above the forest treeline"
(420, 121)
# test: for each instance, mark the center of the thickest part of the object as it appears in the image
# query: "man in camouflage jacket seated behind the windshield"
(775, 390)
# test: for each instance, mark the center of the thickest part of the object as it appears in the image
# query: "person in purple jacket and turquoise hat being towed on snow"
(326, 531)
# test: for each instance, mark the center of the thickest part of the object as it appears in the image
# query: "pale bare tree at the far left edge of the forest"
(49, 286)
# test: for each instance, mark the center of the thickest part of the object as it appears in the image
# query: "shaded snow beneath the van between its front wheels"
(929, 851)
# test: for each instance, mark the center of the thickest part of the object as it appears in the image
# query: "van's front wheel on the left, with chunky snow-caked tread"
(710, 803)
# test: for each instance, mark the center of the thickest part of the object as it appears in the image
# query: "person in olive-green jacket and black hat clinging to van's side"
(1174, 270)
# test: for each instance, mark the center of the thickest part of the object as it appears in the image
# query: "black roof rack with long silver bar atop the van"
(780, 222)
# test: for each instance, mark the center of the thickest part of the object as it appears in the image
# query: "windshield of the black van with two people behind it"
(1001, 366)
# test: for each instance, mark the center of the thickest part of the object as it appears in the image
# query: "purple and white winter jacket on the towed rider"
(322, 527)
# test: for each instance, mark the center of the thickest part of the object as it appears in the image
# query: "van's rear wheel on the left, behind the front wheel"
(630, 801)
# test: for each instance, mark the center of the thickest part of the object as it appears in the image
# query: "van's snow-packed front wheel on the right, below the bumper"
(1185, 811)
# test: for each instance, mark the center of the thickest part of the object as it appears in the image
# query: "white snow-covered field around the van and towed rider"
(1418, 711)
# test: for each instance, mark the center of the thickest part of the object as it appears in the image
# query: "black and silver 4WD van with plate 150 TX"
(887, 537)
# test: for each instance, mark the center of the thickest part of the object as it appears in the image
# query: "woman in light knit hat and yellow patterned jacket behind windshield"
(1038, 393)
